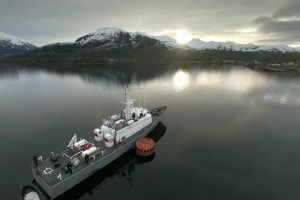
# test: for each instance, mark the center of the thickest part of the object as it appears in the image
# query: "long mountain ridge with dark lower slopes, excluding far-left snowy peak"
(106, 44)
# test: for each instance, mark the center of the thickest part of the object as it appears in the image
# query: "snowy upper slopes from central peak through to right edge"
(114, 37)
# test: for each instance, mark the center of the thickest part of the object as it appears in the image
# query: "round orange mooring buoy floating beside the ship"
(144, 146)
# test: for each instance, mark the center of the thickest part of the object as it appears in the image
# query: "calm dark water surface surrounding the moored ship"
(229, 132)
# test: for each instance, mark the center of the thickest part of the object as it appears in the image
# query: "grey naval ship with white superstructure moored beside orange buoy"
(57, 172)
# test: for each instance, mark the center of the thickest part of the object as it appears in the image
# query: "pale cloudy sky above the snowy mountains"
(244, 21)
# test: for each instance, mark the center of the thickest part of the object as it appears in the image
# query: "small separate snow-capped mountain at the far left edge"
(10, 44)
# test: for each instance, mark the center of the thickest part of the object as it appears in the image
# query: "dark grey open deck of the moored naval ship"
(53, 171)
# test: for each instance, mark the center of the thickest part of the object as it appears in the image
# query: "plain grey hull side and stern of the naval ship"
(57, 189)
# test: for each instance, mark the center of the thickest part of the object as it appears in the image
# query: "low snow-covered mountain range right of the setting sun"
(232, 46)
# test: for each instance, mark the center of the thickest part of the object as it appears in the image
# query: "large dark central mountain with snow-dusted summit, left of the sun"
(108, 43)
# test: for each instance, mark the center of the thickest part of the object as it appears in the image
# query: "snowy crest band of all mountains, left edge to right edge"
(108, 33)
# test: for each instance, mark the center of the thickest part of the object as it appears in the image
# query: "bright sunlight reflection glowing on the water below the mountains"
(235, 80)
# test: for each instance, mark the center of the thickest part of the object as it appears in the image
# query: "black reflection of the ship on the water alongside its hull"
(123, 167)
